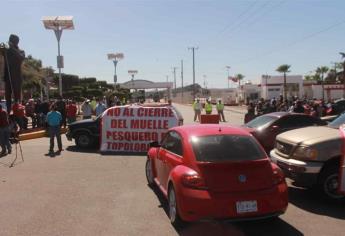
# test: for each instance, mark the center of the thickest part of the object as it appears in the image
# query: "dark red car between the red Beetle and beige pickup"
(266, 127)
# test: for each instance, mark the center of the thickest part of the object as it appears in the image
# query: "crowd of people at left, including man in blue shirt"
(47, 114)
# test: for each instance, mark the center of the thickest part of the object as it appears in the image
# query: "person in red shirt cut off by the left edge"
(4, 133)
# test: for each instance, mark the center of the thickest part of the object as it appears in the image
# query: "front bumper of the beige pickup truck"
(303, 173)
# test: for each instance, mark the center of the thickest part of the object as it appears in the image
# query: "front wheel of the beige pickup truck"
(329, 183)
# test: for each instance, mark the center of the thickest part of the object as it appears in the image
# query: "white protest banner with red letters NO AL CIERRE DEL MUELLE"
(132, 128)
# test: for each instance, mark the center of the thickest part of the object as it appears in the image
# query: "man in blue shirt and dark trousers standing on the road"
(54, 119)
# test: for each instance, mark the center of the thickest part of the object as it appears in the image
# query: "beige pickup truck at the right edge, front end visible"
(311, 156)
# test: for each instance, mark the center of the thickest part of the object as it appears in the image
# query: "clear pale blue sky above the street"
(253, 37)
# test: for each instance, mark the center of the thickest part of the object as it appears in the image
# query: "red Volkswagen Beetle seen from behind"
(214, 171)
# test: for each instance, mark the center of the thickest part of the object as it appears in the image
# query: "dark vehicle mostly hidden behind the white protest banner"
(86, 132)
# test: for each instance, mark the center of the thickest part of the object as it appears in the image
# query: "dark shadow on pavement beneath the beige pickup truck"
(311, 201)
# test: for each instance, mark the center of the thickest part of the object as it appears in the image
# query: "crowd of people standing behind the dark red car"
(313, 107)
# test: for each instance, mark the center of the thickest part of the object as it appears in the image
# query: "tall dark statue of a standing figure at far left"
(13, 71)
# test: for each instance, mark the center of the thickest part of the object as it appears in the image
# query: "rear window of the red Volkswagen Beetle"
(225, 148)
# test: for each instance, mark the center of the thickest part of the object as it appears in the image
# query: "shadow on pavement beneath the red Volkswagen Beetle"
(275, 226)
